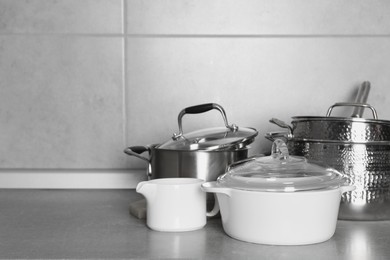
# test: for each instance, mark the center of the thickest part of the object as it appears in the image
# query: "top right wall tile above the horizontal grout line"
(254, 17)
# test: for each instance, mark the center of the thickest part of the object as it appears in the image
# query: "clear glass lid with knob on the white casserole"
(280, 172)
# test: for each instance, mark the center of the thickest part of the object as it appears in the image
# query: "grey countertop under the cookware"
(96, 224)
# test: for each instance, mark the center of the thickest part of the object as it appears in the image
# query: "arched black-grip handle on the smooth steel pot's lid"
(202, 109)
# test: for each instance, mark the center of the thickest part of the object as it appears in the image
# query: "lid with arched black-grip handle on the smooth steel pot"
(210, 139)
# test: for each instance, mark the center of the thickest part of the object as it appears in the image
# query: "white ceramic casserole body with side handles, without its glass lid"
(278, 218)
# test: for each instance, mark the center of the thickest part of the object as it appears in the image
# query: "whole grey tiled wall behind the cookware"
(80, 80)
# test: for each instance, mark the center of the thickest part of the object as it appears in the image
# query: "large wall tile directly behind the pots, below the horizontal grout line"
(254, 79)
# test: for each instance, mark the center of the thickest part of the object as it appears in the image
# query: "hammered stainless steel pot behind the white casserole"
(357, 147)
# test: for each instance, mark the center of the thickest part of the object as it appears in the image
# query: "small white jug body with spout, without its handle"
(174, 204)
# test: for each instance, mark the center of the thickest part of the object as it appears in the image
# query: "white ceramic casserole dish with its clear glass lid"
(279, 199)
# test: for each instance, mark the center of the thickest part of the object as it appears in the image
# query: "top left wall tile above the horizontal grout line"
(63, 17)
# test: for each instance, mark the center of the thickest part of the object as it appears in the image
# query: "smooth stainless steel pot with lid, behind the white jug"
(203, 154)
